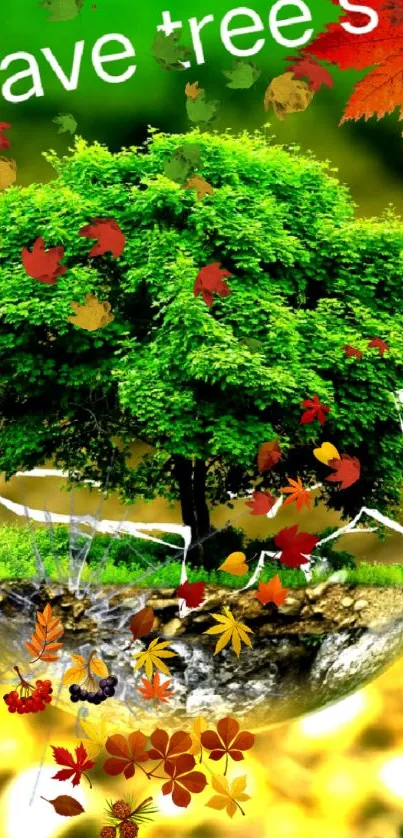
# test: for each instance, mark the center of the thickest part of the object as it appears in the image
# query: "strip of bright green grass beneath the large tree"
(128, 563)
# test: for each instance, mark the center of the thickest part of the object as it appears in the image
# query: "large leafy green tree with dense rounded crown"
(307, 278)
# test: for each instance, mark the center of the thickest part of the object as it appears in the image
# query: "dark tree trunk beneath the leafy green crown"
(191, 477)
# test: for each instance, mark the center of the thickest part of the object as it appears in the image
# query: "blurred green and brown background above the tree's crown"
(369, 155)
